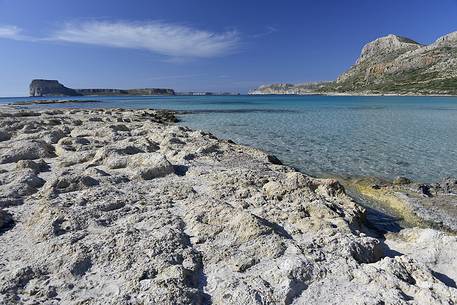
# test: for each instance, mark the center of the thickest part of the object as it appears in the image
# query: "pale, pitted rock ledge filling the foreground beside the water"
(123, 207)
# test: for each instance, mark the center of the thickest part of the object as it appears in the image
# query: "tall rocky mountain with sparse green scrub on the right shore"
(396, 65)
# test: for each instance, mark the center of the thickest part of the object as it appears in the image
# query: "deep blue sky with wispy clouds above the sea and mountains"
(200, 45)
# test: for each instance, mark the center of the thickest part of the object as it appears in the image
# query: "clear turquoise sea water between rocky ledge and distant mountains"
(320, 135)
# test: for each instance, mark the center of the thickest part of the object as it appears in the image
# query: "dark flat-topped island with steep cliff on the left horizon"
(43, 87)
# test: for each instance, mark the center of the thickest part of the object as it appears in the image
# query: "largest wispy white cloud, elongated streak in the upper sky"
(158, 37)
